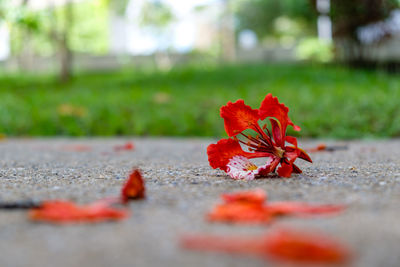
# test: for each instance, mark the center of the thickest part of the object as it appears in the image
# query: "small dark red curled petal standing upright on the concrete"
(134, 187)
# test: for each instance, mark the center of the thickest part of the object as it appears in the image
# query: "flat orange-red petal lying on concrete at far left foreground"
(69, 212)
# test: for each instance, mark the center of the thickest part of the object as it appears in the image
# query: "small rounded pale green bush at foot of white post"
(314, 49)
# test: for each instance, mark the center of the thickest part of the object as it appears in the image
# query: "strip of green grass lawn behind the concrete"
(326, 101)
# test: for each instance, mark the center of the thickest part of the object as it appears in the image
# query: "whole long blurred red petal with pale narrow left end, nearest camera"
(280, 245)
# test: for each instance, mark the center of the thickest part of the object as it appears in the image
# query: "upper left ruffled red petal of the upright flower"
(238, 117)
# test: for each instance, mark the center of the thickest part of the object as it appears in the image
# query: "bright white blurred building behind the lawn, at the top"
(191, 29)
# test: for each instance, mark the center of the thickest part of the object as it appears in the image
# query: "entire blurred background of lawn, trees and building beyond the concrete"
(164, 67)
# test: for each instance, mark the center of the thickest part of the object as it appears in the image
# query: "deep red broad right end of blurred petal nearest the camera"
(301, 247)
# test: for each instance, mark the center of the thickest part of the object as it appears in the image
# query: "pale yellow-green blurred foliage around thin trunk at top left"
(42, 27)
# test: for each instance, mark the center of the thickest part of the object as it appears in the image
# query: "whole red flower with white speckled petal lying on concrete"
(228, 155)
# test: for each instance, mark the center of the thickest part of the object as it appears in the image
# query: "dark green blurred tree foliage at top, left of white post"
(260, 15)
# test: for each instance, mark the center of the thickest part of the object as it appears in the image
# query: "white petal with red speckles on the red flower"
(241, 168)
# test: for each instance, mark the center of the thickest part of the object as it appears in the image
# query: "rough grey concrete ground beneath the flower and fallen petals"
(181, 188)
